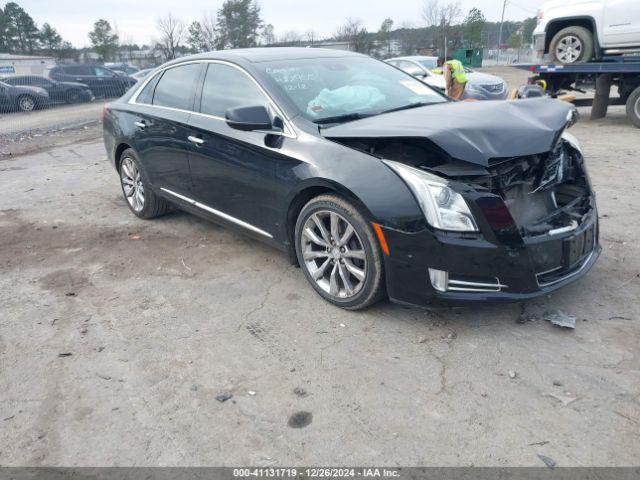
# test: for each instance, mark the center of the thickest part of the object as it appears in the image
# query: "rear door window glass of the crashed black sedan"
(175, 88)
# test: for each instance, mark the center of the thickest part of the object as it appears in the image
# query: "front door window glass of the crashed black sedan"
(227, 87)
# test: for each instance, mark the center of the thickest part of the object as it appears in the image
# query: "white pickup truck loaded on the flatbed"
(578, 31)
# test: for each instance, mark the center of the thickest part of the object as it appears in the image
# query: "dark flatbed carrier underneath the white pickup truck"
(623, 72)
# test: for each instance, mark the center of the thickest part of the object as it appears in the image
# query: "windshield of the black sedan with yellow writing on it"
(328, 88)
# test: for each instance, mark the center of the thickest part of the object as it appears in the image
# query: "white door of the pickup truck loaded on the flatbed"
(621, 23)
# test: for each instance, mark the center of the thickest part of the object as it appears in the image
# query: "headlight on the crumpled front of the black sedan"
(443, 208)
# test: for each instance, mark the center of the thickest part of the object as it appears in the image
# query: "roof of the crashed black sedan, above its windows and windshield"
(266, 54)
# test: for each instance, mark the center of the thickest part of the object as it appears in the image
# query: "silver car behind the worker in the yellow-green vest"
(480, 86)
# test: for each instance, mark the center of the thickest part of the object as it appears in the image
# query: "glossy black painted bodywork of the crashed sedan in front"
(263, 180)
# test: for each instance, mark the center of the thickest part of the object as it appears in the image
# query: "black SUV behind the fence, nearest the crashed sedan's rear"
(102, 81)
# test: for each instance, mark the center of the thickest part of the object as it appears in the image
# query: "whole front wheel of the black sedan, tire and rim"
(338, 253)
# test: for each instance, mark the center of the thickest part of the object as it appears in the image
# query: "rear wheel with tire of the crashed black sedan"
(141, 199)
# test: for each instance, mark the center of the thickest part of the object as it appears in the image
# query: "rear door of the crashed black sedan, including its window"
(159, 120)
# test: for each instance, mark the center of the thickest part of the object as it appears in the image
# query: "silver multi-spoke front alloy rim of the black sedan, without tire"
(334, 254)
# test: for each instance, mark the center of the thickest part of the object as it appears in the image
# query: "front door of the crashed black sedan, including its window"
(233, 171)
